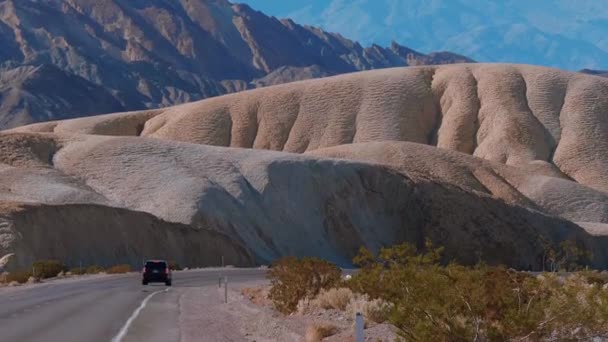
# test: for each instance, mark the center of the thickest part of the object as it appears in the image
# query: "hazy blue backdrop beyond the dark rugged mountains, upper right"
(569, 34)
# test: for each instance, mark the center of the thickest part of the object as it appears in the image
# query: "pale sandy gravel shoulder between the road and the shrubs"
(204, 317)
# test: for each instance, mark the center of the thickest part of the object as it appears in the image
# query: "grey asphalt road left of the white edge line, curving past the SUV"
(93, 309)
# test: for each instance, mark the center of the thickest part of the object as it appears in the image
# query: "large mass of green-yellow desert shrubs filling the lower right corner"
(434, 302)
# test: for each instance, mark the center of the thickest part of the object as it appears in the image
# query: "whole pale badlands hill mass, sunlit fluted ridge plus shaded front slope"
(485, 159)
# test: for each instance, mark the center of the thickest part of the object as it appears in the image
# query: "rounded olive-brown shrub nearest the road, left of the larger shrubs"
(293, 279)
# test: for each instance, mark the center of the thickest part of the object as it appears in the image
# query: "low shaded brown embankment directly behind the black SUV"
(105, 236)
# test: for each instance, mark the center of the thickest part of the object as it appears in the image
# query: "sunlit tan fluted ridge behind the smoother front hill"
(506, 113)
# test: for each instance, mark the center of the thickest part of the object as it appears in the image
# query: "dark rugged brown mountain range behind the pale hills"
(68, 58)
